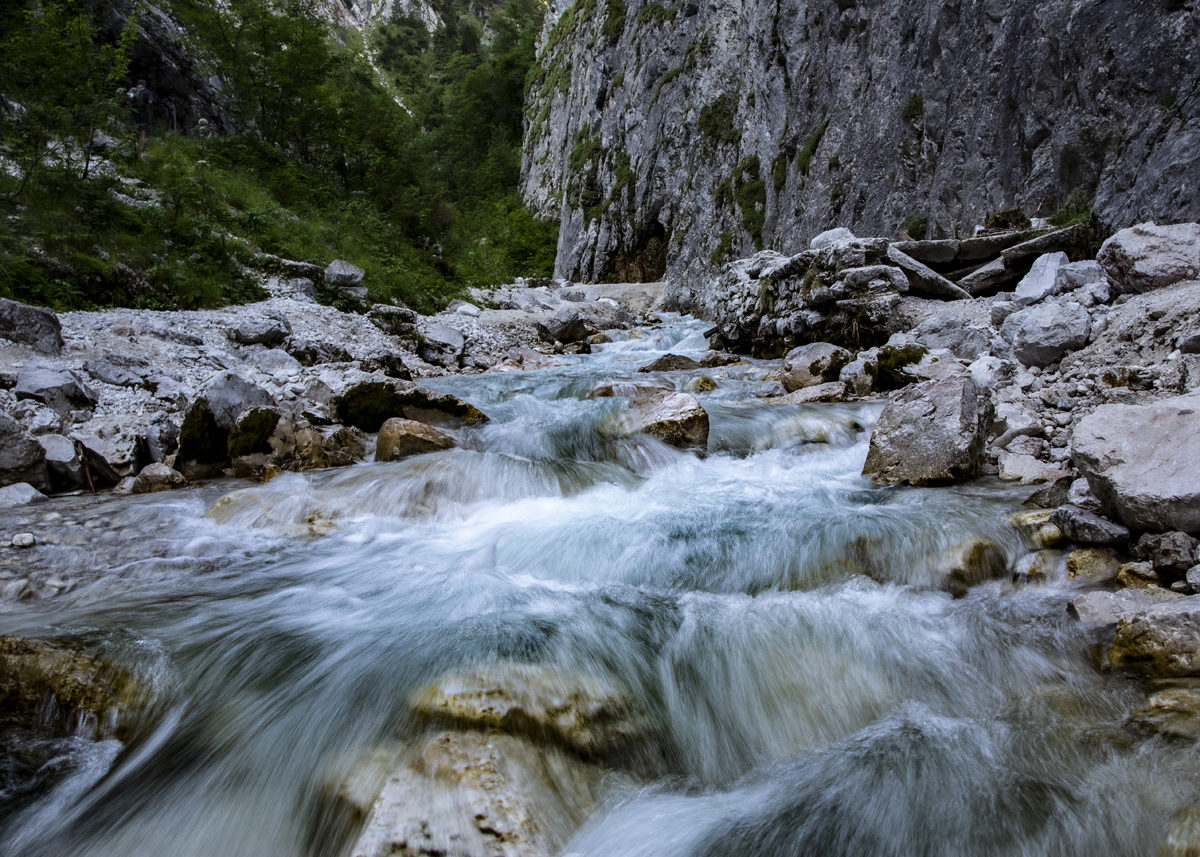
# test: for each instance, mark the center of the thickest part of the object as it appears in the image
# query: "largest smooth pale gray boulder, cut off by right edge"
(1143, 462)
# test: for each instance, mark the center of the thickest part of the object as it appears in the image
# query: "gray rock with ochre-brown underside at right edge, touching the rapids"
(1163, 640)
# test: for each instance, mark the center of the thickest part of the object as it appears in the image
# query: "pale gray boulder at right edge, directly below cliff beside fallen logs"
(1148, 256)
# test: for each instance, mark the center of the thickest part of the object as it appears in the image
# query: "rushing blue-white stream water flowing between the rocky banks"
(782, 620)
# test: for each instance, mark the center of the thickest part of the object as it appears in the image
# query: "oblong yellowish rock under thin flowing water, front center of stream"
(587, 715)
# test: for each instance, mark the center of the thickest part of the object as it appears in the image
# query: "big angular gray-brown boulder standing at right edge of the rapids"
(933, 433)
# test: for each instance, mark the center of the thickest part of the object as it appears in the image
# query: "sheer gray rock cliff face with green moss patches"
(675, 137)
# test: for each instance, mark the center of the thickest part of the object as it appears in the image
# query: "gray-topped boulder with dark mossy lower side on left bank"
(205, 435)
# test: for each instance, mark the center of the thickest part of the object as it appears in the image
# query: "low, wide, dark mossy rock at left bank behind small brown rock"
(369, 405)
